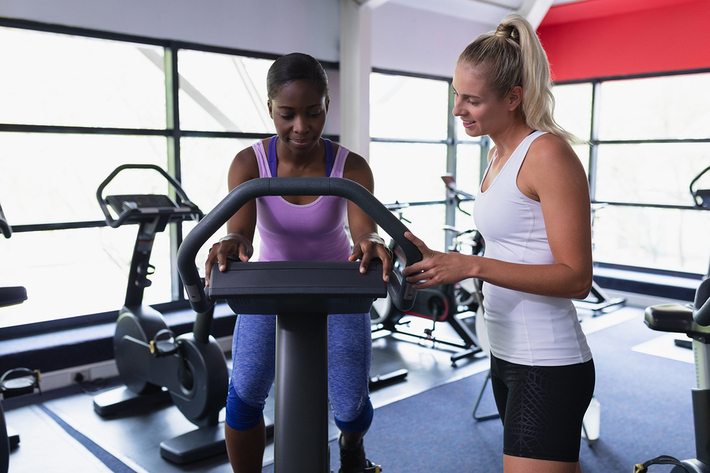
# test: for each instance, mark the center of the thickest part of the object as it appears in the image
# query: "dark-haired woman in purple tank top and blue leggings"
(303, 228)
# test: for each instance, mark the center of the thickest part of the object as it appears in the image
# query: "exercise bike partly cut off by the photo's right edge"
(695, 323)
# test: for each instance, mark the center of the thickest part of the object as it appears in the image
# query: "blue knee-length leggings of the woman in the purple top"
(349, 357)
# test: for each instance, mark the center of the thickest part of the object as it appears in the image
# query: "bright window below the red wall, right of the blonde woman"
(650, 137)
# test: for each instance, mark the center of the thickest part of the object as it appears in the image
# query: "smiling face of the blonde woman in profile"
(482, 111)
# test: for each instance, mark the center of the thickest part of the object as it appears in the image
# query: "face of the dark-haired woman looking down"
(299, 111)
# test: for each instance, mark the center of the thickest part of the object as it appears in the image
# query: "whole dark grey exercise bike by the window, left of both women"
(152, 362)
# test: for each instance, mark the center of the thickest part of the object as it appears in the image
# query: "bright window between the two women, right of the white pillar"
(414, 143)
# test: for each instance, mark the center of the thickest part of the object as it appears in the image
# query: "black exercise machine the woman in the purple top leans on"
(301, 294)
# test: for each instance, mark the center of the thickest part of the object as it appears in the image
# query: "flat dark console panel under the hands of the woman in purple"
(286, 287)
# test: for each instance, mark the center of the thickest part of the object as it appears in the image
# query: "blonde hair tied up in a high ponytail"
(513, 56)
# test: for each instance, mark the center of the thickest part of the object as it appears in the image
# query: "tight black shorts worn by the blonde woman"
(542, 408)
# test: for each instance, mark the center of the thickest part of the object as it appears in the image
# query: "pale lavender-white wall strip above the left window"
(271, 26)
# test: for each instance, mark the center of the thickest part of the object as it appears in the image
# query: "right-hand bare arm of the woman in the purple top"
(363, 230)
